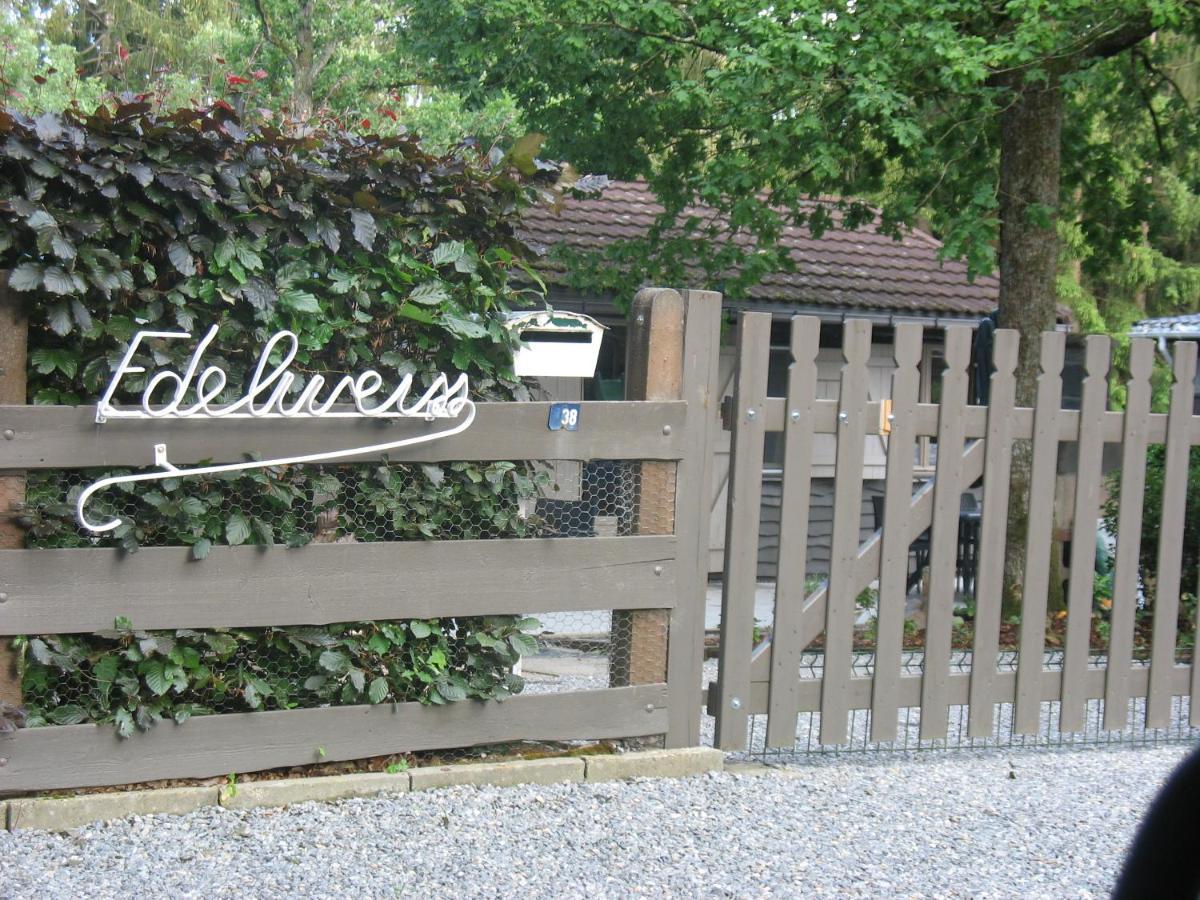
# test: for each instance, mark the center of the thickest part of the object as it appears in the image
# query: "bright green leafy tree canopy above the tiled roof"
(753, 109)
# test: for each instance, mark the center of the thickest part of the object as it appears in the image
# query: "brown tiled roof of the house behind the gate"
(851, 269)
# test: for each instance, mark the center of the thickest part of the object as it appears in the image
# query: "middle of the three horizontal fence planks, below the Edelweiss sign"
(64, 591)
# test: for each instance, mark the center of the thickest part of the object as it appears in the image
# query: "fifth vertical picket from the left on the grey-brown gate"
(949, 484)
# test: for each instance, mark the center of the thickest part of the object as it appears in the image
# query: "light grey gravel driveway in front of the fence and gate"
(979, 825)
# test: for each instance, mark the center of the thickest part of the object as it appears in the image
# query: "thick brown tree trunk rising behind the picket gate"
(1030, 163)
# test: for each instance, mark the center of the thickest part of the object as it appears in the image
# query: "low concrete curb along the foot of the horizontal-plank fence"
(64, 813)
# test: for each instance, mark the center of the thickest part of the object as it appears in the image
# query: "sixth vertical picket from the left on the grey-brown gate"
(991, 578)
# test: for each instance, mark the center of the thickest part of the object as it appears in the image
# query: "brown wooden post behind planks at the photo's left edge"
(14, 339)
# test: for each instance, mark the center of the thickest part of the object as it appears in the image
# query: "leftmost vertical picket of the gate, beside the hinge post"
(742, 530)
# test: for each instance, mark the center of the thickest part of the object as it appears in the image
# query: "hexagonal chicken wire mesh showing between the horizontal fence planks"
(243, 670)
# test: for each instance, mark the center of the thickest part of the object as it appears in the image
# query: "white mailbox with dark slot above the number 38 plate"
(556, 344)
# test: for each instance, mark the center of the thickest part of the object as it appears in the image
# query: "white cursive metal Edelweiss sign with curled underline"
(269, 394)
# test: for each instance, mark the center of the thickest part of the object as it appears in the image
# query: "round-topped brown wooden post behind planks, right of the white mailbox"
(653, 371)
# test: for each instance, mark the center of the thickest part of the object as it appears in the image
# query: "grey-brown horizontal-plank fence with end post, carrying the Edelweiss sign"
(658, 573)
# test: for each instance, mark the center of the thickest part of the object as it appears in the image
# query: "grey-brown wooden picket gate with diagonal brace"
(1115, 646)
